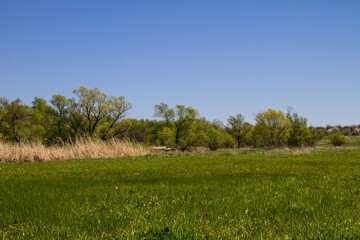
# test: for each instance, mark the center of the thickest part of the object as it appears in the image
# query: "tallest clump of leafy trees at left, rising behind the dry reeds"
(91, 113)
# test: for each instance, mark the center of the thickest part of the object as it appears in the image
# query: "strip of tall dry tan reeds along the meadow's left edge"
(81, 149)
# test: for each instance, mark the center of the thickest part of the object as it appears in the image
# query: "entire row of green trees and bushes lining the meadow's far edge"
(92, 113)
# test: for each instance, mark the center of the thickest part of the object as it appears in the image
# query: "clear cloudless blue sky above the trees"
(220, 57)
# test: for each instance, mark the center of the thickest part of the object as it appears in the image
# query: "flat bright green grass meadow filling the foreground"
(223, 195)
